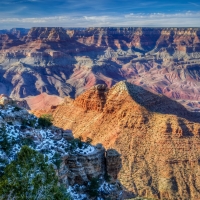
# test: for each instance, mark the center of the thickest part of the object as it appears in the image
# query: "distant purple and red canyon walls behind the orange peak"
(67, 61)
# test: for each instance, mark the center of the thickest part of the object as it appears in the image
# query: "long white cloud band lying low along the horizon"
(187, 19)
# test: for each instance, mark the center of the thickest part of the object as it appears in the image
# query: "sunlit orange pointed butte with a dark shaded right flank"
(157, 138)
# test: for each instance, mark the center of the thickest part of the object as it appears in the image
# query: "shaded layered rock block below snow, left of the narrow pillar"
(83, 167)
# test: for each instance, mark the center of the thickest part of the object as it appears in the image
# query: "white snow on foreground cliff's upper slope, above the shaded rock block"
(43, 138)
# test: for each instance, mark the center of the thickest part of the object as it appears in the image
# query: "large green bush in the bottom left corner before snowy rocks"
(30, 177)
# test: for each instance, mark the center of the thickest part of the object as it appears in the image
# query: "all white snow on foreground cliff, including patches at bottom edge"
(44, 141)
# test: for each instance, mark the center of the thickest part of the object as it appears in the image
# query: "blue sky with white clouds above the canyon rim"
(84, 13)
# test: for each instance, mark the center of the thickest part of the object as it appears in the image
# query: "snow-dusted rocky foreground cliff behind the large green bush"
(76, 163)
